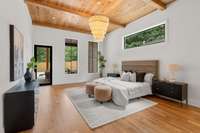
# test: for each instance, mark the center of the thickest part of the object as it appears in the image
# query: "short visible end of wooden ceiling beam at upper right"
(158, 4)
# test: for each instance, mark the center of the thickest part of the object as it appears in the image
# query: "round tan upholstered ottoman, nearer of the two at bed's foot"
(102, 93)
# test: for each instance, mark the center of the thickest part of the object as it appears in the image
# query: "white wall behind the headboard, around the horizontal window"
(182, 46)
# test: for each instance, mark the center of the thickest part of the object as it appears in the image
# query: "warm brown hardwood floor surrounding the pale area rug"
(56, 114)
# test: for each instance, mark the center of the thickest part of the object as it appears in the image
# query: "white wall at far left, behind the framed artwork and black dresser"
(12, 12)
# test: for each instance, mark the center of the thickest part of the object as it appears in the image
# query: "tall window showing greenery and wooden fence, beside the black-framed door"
(71, 56)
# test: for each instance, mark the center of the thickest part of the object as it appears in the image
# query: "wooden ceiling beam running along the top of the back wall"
(70, 28)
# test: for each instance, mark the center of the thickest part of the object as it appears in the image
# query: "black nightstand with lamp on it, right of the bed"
(172, 90)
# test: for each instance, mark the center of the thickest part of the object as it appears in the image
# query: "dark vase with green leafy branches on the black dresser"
(31, 66)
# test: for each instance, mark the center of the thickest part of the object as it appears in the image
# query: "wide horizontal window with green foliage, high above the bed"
(149, 36)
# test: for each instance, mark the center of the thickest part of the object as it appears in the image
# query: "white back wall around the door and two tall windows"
(56, 38)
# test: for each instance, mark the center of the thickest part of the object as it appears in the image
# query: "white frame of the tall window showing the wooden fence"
(77, 59)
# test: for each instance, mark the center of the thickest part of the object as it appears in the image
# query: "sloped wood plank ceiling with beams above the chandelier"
(73, 14)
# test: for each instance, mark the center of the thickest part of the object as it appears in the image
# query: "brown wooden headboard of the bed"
(147, 66)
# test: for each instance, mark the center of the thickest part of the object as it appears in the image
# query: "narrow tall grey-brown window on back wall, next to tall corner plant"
(93, 57)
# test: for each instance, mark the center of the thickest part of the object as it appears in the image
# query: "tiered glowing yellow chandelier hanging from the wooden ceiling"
(98, 26)
